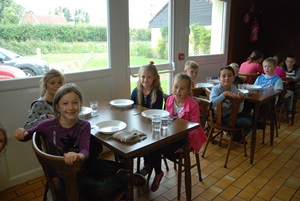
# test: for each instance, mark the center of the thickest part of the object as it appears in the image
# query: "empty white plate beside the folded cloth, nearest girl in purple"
(109, 127)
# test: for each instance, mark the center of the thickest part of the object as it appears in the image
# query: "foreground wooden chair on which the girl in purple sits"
(49, 163)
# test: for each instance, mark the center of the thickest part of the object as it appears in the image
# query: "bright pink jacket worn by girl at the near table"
(191, 113)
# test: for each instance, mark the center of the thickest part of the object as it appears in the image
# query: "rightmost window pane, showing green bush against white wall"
(206, 23)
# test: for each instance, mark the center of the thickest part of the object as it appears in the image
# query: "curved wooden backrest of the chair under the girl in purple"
(50, 163)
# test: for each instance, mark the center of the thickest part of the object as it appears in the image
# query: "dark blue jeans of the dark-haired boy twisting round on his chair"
(242, 121)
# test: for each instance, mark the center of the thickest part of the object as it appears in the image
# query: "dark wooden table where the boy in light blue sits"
(259, 99)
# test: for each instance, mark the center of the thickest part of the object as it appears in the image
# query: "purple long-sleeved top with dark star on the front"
(60, 140)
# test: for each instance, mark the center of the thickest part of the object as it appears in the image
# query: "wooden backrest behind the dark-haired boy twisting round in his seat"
(235, 105)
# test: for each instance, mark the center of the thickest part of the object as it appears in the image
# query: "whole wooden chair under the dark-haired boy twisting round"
(216, 123)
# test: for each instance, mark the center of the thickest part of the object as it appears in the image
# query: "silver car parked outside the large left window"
(30, 66)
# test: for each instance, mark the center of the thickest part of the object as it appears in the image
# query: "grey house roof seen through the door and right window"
(201, 11)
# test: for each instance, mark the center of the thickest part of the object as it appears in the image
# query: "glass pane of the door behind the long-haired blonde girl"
(149, 39)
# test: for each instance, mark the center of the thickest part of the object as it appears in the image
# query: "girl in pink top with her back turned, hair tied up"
(253, 64)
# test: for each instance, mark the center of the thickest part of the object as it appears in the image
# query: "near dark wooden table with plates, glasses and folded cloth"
(178, 130)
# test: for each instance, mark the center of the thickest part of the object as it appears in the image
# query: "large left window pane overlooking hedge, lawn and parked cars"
(68, 35)
